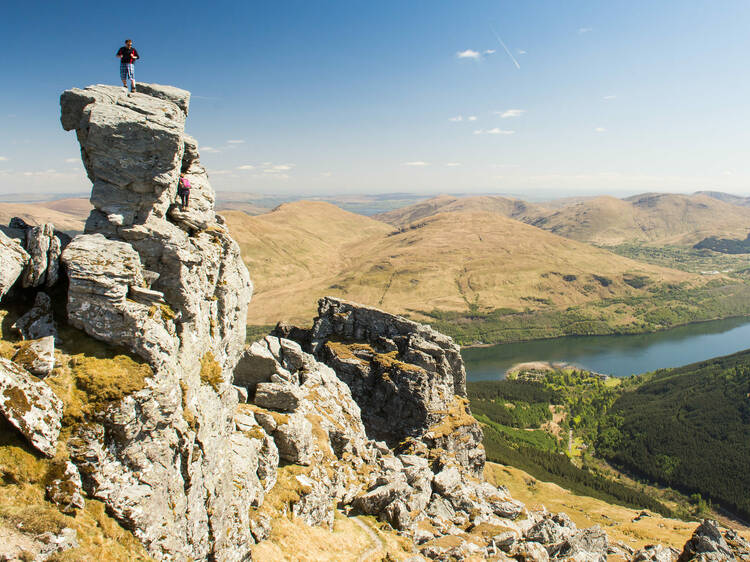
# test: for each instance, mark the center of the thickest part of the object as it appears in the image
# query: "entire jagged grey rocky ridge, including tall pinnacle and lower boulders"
(208, 442)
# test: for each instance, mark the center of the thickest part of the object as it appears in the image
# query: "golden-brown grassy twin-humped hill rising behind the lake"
(464, 262)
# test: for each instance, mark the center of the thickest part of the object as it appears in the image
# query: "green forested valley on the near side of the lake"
(631, 441)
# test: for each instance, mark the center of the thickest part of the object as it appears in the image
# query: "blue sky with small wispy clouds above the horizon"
(369, 97)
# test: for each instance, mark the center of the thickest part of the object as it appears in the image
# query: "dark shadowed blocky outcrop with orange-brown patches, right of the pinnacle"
(408, 380)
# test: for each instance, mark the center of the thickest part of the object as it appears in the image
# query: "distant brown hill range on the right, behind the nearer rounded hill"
(653, 218)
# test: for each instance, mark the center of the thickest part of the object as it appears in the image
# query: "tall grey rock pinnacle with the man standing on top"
(167, 460)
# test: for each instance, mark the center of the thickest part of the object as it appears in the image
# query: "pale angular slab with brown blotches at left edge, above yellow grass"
(30, 406)
